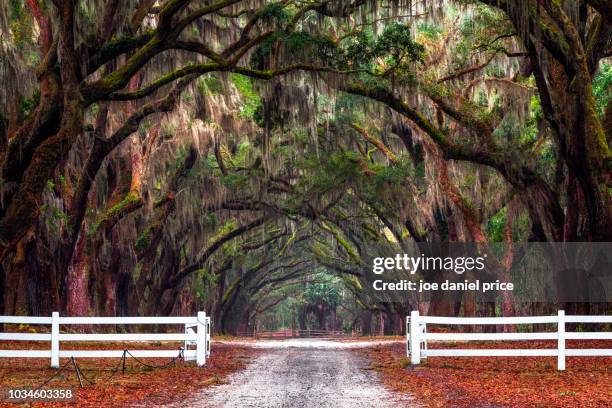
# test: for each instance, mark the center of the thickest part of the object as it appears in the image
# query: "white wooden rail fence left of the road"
(200, 337)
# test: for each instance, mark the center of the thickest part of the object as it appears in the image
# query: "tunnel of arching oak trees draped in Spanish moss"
(250, 159)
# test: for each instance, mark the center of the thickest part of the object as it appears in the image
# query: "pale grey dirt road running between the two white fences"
(308, 374)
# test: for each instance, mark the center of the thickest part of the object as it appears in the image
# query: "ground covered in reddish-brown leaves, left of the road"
(141, 385)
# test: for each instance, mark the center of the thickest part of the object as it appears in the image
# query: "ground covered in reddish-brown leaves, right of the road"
(499, 381)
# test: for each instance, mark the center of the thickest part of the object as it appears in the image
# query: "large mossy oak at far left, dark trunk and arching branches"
(81, 66)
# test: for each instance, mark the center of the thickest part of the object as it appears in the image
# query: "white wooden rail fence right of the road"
(417, 336)
